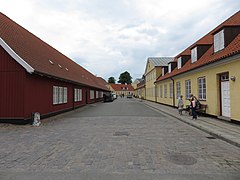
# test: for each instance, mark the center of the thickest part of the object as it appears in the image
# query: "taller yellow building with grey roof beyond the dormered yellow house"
(152, 71)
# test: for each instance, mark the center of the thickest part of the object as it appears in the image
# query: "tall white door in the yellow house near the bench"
(225, 94)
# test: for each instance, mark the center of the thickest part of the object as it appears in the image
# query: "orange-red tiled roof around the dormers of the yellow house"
(209, 56)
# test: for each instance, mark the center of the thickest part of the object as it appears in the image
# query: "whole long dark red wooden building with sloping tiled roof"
(35, 77)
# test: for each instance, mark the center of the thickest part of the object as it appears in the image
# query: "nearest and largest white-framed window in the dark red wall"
(59, 95)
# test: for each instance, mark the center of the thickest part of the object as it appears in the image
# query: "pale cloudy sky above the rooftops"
(108, 37)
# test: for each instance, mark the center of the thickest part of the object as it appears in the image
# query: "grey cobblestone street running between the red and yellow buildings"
(124, 138)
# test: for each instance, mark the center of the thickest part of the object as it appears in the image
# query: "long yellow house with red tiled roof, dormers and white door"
(210, 70)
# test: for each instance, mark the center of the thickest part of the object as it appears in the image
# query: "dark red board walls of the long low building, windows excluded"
(22, 93)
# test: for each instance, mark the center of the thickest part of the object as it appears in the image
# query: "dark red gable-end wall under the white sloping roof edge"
(12, 78)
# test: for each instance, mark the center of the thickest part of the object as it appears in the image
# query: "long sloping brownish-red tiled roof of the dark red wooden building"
(38, 57)
